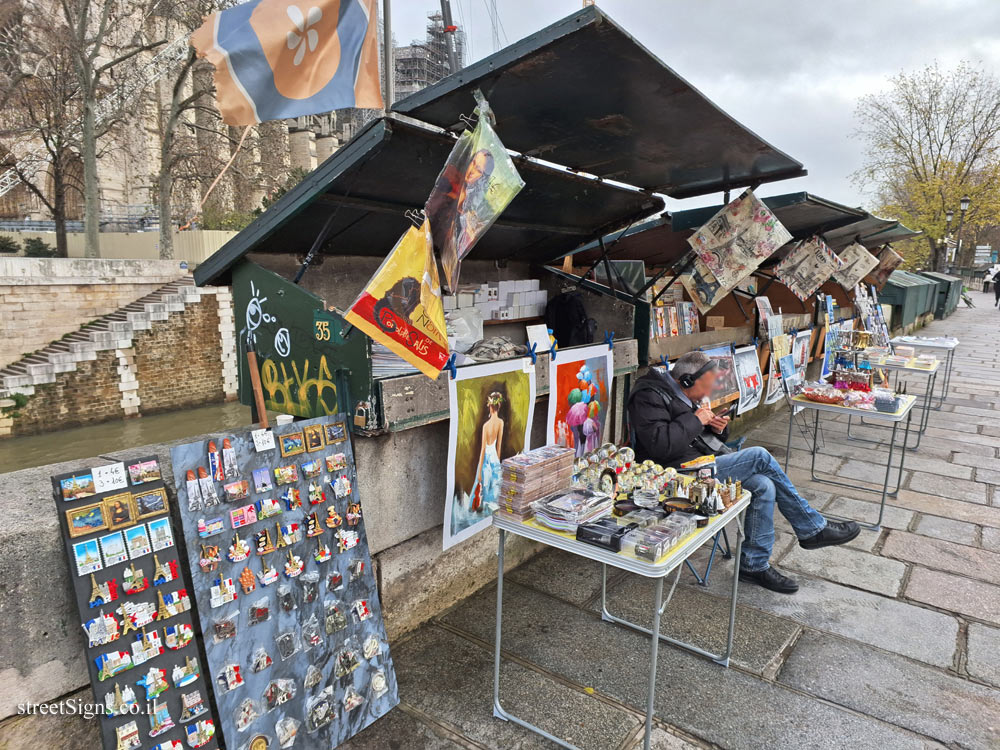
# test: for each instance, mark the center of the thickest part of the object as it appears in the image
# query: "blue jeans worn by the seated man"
(763, 477)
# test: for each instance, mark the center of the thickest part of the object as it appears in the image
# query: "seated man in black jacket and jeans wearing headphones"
(671, 423)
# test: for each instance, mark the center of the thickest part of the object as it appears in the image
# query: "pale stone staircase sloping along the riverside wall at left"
(113, 331)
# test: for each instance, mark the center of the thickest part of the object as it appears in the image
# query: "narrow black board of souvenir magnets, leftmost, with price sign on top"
(135, 607)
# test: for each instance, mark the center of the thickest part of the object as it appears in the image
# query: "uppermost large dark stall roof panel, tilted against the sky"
(583, 93)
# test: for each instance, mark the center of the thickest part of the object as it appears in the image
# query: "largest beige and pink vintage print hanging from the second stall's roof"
(738, 239)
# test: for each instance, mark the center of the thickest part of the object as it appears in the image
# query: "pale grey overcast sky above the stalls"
(790, 70)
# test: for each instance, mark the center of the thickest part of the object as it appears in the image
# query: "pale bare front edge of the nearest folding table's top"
(681, 552)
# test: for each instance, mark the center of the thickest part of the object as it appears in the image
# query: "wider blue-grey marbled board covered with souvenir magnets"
(287, 602)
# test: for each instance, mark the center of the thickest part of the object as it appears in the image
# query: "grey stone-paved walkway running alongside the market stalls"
(892, 642)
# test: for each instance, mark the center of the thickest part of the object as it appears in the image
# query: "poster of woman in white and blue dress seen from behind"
(492, 407)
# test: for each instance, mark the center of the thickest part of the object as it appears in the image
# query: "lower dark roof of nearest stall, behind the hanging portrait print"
(391, 166)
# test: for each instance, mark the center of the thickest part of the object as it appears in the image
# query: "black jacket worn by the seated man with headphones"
(663, 427)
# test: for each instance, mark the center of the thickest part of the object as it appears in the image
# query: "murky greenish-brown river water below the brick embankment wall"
(94, 440)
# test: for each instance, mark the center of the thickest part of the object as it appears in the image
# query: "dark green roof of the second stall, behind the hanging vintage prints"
(664, 240)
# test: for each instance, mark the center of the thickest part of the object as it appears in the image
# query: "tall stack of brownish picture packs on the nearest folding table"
(531, 476)
